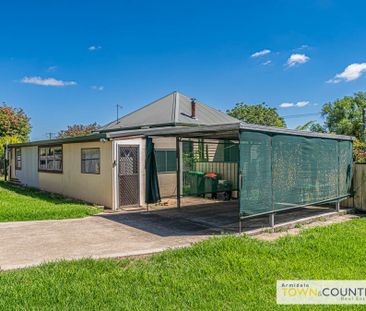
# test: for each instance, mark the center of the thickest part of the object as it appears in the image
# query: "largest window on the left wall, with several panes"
(50, 159)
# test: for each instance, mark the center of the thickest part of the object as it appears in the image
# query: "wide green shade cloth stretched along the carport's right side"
(280, 171)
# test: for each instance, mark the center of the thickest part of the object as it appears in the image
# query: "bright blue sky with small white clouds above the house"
(68, 62)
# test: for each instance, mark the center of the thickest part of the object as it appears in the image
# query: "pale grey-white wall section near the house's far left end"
(28, 175)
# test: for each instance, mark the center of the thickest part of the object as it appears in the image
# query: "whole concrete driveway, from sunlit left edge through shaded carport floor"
(123, 234)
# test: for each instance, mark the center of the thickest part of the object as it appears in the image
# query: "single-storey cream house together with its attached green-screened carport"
(190, 149)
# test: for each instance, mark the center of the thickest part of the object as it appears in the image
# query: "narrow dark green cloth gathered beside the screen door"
(152, 182)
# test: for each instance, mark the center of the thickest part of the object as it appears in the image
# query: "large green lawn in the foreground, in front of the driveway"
(228, 273)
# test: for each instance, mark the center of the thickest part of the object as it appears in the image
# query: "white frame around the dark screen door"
(140, 143)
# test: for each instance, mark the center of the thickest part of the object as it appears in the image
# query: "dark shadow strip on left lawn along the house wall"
(40, 195)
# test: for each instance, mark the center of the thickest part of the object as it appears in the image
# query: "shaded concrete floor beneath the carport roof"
(200, 215)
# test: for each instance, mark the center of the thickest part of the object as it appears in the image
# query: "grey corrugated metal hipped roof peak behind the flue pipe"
(173, 109)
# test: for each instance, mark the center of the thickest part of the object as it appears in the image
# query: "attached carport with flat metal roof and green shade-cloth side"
(278, 172)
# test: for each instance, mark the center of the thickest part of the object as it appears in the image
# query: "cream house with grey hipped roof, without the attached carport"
(108, 166)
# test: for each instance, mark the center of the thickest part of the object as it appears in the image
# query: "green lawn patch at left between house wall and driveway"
(20, 203)
